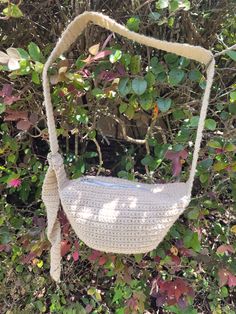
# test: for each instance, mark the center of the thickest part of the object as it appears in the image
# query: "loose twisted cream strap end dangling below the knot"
(51, 199)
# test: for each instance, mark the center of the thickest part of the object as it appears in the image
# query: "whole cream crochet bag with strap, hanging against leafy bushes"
(112, 214)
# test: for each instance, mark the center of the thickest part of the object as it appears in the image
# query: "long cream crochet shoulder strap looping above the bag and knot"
(76, 27)
